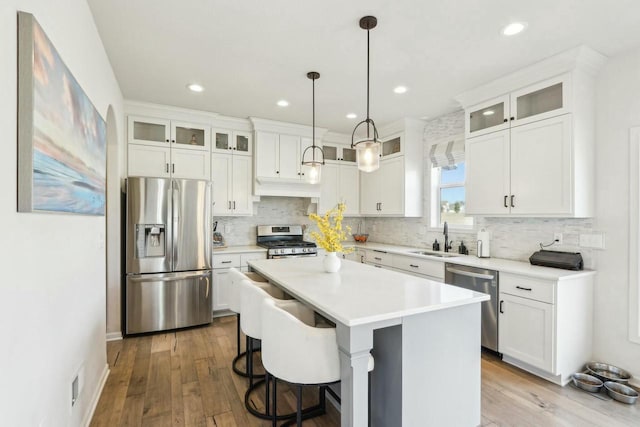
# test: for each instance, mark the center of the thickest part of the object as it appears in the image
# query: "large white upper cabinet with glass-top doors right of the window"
(529, 148)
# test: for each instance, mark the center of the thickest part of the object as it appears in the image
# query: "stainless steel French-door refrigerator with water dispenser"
(168, 254)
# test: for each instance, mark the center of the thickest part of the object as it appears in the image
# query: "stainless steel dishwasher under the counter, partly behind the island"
(479, 280)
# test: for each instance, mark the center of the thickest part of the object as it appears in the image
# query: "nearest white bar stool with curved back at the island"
(298, 352)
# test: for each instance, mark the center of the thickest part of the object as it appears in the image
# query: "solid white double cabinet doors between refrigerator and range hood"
(231, 176)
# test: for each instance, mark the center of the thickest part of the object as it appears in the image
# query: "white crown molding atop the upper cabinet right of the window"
(582, 59)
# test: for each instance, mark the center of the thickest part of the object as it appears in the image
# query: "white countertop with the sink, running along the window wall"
(502, 265)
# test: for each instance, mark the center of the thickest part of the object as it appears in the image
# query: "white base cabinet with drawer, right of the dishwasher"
(545, 326)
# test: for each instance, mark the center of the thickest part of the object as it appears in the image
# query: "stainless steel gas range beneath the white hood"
(283, 241)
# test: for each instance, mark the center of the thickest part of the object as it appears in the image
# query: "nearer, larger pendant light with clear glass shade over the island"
(367, 150)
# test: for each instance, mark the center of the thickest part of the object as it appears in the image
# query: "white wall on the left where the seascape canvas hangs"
(52, 290)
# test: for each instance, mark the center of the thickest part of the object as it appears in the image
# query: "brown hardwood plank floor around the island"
(184, 378)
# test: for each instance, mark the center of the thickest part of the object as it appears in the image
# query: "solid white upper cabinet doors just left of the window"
(382, 192)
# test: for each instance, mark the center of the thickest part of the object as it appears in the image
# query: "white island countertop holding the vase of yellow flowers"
(359, 293)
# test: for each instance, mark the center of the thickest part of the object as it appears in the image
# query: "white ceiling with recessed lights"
(250, 53)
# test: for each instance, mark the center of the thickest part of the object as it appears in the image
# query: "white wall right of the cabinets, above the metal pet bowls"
(618, 109)
